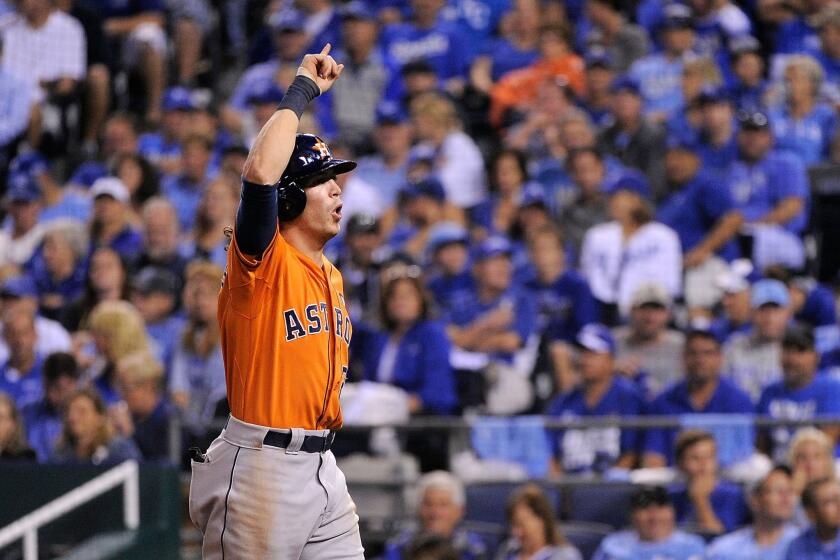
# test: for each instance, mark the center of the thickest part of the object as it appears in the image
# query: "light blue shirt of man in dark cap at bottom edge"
(625, 545)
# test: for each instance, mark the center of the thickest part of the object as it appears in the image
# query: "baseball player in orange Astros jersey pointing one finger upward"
(268, 486)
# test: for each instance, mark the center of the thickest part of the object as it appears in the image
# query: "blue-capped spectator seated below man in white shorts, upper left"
(163, 148)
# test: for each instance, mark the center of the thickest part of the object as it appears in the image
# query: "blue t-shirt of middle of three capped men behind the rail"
(727, 399)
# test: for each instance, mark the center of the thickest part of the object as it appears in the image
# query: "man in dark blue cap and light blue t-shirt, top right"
(660, 74)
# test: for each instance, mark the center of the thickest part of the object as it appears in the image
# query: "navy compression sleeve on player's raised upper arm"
(256, 219)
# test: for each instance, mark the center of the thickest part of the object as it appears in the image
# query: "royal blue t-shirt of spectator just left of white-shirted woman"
(565, 306)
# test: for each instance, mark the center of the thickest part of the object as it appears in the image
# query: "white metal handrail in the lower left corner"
(26, 527)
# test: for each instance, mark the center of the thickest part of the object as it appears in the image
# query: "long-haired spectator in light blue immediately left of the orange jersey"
(197, 380)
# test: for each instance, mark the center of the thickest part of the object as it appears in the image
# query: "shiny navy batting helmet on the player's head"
(311, 163)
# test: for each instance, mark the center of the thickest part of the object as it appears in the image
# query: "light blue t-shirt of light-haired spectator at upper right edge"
(808, 137)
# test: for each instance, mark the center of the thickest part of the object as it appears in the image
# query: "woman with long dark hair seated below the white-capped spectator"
(106, 280)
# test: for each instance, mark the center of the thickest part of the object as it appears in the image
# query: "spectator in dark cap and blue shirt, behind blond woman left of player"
(155, 295)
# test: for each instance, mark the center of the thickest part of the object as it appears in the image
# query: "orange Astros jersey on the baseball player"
(285, 335)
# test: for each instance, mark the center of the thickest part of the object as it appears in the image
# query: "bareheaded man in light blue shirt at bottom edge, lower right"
(772, 501)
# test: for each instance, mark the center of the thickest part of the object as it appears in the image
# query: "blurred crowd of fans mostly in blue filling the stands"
(572, 208)
